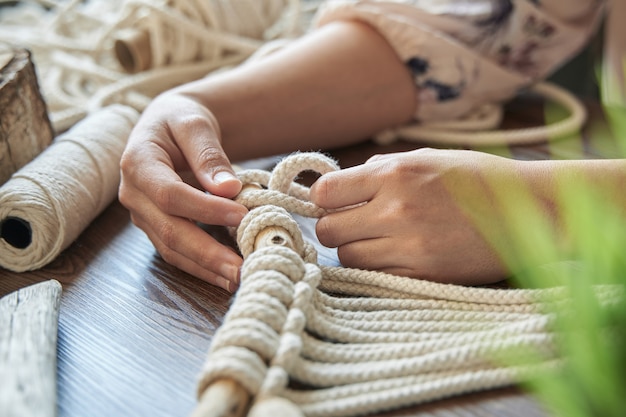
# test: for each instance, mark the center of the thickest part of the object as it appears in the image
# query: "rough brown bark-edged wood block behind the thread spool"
(25, 129)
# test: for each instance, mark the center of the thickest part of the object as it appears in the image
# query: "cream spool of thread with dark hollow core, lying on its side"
(47, 204)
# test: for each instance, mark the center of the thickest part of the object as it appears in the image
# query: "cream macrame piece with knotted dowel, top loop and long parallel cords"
(304, 339)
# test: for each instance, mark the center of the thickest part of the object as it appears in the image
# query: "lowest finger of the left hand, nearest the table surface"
(188, 247)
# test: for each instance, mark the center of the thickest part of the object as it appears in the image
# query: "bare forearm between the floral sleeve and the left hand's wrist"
(339, 85)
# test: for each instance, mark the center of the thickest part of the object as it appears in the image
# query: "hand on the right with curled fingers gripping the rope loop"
(413, 214)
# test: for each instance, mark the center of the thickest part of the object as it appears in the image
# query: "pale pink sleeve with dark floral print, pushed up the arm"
(465, 53)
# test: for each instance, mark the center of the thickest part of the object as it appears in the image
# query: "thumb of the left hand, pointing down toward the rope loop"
(203, 151)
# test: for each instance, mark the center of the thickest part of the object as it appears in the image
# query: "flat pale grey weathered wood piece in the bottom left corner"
(28, 343)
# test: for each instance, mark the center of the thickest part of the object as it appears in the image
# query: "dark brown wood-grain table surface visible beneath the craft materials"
(134, 331)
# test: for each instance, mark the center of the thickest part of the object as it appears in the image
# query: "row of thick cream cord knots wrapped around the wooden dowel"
(260, 340)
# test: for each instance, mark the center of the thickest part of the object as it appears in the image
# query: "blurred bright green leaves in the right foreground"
(590, 328)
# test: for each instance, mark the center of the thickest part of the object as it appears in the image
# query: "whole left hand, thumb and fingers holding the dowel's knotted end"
(177, 135)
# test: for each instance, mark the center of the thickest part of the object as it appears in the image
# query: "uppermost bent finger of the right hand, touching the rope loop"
(347, 187)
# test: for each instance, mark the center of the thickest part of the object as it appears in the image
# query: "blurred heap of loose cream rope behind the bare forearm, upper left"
(84, 51)
